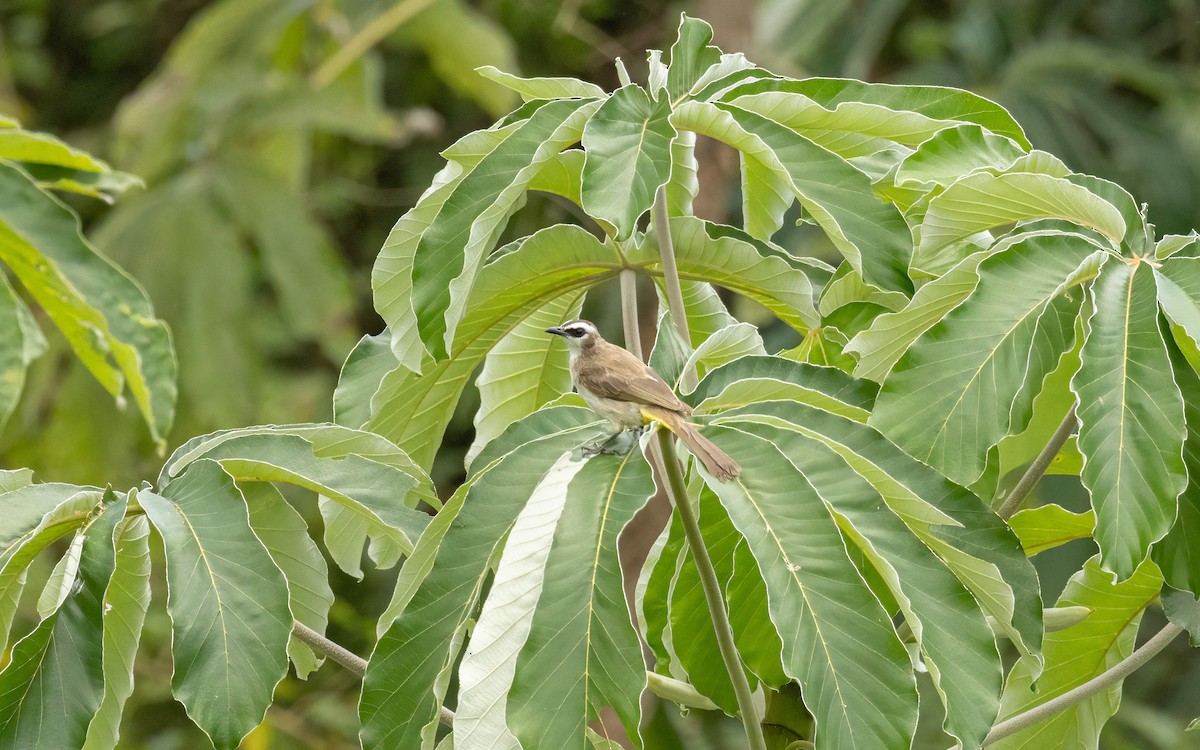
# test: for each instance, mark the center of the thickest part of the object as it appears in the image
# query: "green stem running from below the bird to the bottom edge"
(679, 494)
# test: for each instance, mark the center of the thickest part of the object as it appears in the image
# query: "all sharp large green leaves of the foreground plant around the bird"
(981, 284)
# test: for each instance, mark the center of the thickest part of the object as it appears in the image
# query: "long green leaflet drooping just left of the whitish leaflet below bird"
(407, 675)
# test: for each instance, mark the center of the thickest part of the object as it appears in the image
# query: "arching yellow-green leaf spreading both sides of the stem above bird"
(413, 411)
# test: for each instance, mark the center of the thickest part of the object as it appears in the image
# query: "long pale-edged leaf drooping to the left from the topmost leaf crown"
(429, 265)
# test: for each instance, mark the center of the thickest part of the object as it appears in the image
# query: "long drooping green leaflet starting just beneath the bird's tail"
(838, 640)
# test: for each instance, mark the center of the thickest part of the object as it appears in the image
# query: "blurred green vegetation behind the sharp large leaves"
(256, 145)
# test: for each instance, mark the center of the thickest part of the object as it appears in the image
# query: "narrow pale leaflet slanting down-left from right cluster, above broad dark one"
(881, 346)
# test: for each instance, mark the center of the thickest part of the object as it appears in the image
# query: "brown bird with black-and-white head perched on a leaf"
(626, 392)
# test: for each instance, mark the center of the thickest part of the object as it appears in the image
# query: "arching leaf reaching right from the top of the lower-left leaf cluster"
(368, 485)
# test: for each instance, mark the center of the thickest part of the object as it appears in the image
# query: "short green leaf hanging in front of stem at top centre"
(628, 145)
